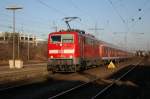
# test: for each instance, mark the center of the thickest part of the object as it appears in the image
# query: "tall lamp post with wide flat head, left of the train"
(13, 8)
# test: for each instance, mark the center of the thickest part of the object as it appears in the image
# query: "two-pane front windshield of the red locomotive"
(64, 38)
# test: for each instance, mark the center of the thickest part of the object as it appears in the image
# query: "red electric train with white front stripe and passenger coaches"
(74, 50)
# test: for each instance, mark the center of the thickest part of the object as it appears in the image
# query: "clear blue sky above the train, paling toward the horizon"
(121, 22)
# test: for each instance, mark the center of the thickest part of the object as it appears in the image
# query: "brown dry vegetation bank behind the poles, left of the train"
(37, 52)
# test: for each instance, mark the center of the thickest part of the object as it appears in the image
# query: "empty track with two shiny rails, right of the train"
(92, 89)
